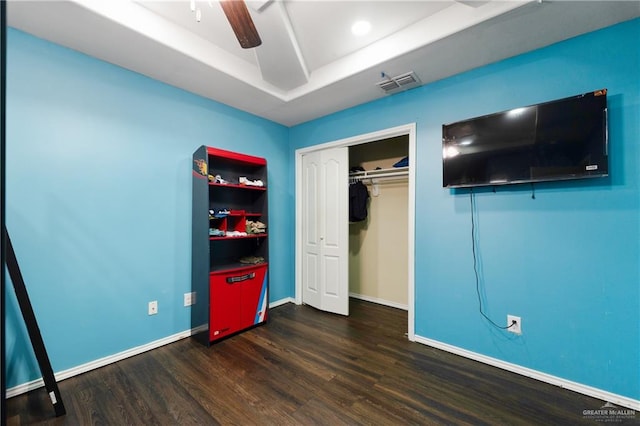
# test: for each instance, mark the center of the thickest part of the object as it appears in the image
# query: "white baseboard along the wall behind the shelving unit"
(92, 365)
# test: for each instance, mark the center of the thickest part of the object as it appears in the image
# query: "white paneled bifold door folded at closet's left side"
(325, 219)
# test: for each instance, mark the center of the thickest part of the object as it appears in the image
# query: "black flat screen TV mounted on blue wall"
(557, 140)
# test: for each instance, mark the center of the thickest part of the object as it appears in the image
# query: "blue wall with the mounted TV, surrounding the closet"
(567, 261)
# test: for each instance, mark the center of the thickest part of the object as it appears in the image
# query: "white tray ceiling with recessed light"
(309, 63)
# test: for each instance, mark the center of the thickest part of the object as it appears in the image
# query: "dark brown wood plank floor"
(305, 367)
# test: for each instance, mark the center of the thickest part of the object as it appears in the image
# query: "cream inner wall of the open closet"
(378, 245)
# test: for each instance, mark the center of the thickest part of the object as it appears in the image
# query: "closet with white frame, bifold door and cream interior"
(337, 260)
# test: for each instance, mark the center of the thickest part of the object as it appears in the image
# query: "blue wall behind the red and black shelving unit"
(99, 201)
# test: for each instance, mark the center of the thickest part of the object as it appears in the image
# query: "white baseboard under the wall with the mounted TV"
(534, 374)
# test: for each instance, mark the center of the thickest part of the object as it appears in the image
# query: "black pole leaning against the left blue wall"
(32, 327)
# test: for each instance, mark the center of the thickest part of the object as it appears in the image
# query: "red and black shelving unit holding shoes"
(229, 255)
